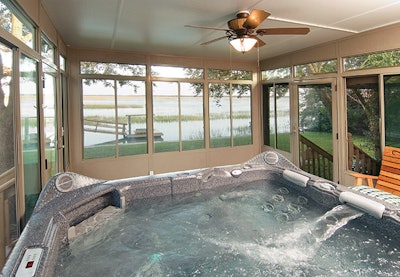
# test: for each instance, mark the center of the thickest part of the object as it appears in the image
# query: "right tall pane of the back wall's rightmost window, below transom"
(241, 114)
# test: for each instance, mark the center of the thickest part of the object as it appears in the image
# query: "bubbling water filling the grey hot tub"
(258, 229)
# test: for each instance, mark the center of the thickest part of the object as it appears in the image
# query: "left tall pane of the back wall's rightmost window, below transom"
(220, 122)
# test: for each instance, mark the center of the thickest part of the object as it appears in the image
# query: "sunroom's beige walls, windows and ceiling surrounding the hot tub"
(122, 89)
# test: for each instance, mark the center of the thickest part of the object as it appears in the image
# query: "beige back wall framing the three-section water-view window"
(139, 165)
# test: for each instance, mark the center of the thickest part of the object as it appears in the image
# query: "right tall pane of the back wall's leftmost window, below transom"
(131, 103)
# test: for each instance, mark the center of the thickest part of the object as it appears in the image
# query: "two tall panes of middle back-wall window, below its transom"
(178, 116)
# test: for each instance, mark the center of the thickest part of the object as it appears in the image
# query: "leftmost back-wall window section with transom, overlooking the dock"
(114, 110)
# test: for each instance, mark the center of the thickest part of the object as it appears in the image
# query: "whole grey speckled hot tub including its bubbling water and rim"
(262, 218)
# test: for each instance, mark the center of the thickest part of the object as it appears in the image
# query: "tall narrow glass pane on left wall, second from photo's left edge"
(30, 131)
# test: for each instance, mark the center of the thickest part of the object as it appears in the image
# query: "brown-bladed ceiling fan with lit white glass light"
(243, 34)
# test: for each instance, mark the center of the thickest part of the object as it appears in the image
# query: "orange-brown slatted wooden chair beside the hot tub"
(389, 175)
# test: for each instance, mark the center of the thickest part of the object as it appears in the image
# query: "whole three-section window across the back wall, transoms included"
(115, 116)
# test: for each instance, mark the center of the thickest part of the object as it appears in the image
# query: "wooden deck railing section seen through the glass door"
(315, 160)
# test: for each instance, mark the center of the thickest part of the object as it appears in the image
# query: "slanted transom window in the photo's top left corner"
(16, 24)
